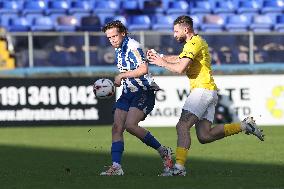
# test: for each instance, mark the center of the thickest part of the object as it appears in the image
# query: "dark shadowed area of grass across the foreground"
(24, 167)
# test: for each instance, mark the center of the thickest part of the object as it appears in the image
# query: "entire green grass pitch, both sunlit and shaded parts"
(72, 157)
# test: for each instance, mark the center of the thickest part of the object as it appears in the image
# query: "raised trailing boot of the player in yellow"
(250, 127)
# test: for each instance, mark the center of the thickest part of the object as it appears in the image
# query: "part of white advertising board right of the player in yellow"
(261, 96)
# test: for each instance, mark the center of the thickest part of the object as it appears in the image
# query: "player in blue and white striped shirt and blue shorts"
(137, 99)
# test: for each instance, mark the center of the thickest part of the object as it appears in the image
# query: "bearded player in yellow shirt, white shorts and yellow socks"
(199, 107)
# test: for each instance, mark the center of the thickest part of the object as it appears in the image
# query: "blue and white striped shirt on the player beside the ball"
(128, 57)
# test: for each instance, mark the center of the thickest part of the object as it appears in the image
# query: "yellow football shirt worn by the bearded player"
(199, 72)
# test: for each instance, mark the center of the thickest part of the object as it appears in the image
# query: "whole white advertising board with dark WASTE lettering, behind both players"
(261, 96)
